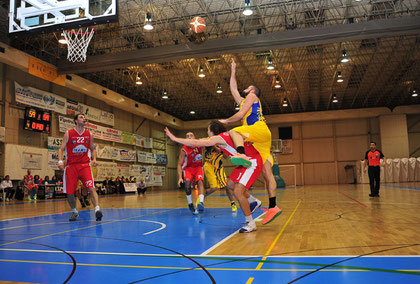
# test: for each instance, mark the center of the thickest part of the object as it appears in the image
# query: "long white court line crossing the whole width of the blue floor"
(195, 255)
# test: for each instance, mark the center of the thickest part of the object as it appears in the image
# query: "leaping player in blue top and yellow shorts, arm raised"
(254, 129)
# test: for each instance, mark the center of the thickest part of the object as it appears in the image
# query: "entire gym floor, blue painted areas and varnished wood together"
(333, 233)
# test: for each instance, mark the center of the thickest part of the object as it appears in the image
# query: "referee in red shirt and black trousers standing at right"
(373, 158)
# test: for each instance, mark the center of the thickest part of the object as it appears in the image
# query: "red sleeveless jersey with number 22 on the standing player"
(77, 147)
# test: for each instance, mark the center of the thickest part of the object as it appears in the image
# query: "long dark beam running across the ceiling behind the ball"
(276, 40)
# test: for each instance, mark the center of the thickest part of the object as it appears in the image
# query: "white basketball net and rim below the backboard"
(77, 43)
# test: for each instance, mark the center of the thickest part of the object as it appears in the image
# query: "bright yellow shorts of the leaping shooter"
(260, 135)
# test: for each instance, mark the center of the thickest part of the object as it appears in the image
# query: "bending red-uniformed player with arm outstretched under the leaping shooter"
(241, 178)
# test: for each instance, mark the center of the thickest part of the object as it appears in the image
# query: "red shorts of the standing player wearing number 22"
(74, 172)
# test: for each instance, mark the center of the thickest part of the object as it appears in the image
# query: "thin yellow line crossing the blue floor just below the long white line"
(192, 268)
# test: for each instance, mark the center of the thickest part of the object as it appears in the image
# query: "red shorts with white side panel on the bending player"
(247, 176)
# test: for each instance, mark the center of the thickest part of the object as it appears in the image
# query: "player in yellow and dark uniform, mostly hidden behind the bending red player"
(215, 173)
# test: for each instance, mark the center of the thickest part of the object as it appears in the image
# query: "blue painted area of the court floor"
(166, 246)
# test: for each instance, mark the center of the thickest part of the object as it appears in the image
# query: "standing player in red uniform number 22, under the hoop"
(77, 143)
